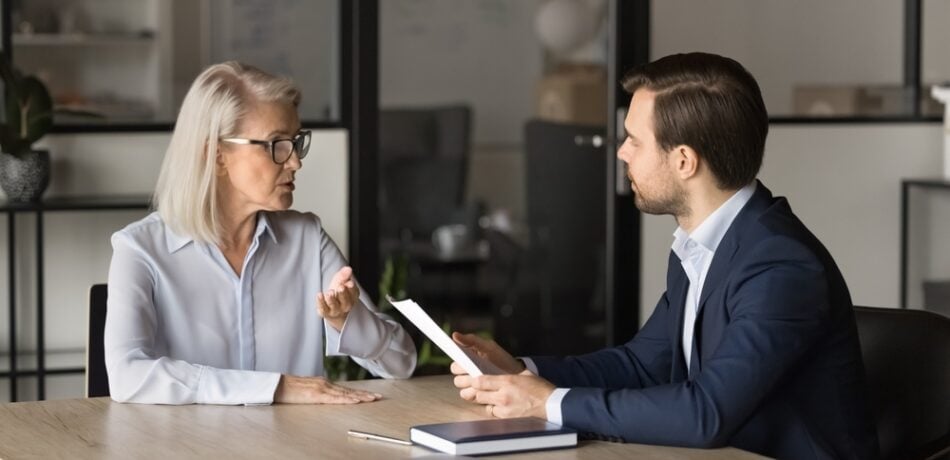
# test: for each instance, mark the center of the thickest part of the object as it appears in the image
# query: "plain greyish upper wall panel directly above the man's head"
(785, 44)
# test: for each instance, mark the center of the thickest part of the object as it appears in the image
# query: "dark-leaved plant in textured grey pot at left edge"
(27, 117)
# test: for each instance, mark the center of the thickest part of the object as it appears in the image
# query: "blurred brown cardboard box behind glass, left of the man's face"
(575, 94)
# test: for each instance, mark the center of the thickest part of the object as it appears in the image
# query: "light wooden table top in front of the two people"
(102, 429)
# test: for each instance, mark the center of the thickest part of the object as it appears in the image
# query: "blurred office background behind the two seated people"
(464, 150)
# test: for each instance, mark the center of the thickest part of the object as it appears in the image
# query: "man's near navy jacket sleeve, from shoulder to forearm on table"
(778, 304)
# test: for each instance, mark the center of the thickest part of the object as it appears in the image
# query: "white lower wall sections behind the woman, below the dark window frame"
(77, 248)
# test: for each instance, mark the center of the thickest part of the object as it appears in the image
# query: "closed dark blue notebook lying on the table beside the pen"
(493, 436)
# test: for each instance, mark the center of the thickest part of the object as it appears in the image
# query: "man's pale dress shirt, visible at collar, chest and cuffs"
(695, 252)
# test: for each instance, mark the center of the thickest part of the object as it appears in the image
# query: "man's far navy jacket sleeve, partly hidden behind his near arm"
(642, 362)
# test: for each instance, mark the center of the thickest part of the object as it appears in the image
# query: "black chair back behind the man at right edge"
(907, 361)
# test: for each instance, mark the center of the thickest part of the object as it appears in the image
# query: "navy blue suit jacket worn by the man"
(776, 365)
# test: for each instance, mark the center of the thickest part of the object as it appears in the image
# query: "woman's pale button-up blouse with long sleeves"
(182, 327)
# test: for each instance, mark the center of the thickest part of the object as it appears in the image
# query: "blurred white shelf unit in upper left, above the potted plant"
(118, 64)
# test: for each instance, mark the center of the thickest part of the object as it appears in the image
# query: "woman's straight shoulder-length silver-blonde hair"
(185, 195)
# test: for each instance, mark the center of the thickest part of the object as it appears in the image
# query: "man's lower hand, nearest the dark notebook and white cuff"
(507, 396)
